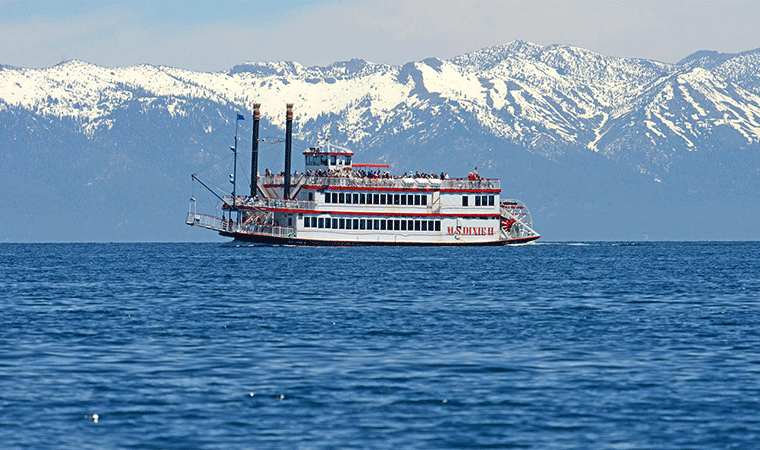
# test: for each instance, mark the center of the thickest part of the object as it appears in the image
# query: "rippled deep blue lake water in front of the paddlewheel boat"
(549, 346)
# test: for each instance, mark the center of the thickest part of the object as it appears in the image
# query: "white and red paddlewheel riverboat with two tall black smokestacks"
(340, 203)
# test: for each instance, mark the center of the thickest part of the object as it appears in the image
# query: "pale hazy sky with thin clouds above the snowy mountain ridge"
(214, 36)
